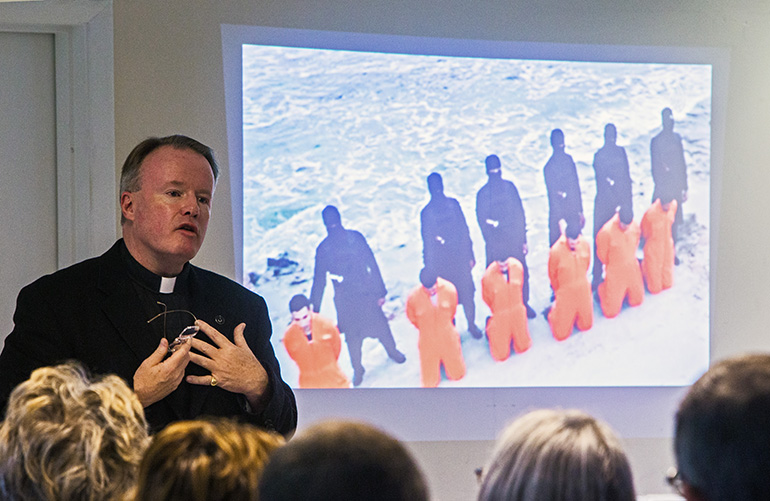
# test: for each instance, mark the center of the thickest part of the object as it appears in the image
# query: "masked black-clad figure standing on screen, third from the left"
(501, 217)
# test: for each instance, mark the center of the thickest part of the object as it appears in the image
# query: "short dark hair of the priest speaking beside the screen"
(130, 174)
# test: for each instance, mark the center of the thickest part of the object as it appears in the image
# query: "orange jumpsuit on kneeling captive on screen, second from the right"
(622, 275)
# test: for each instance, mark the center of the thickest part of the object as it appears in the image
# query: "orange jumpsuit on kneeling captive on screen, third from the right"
(572, 304)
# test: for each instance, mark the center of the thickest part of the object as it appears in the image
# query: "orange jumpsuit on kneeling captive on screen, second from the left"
(439, 341)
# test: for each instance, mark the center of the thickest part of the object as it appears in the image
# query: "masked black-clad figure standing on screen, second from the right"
(613, 188)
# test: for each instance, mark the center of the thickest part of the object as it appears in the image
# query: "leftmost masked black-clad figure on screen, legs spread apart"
(359, 291)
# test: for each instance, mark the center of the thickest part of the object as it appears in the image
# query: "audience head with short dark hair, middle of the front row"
(341, 461)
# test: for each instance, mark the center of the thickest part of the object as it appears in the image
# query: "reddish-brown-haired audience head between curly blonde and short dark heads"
(205, 461)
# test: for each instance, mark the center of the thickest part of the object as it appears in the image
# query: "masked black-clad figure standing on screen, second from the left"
(447, 248)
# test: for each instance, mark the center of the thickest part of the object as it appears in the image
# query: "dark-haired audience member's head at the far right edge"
(722, 439)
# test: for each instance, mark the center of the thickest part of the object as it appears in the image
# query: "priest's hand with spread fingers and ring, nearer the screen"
(233, 366)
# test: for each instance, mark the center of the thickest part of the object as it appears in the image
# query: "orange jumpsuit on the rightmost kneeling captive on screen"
(658, 263)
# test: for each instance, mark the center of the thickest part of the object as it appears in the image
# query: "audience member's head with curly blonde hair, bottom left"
(67, 437)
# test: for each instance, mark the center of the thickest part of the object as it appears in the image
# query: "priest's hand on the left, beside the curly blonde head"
(155, 378)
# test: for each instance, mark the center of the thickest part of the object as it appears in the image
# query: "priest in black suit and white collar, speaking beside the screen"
(121, 312)
